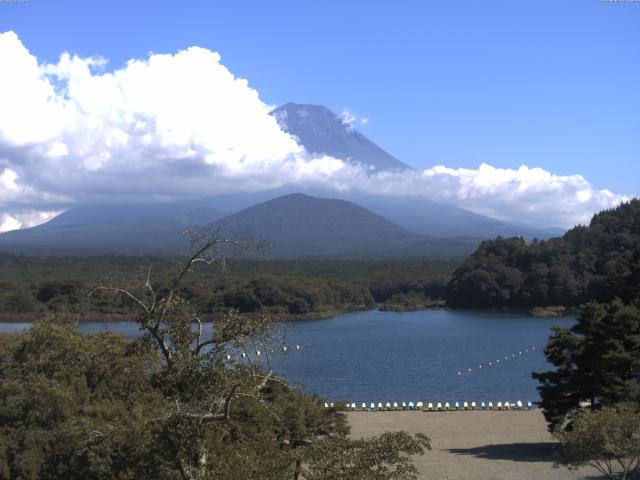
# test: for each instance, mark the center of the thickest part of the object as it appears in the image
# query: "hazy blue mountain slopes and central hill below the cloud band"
(293, 226)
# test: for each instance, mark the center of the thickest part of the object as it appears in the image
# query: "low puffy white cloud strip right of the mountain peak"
(530, 196)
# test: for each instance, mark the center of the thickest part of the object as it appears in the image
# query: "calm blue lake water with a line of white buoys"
(387, 356)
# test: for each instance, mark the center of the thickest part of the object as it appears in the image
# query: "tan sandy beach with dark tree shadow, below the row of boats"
(476, 445)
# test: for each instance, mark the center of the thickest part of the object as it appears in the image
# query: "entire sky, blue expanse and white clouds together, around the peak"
(522, 111)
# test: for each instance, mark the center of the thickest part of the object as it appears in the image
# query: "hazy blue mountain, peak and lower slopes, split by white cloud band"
(334, 223)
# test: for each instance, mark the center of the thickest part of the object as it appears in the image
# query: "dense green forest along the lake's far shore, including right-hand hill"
(596, 262)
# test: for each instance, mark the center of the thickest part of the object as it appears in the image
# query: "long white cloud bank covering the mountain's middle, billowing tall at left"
(182, 125)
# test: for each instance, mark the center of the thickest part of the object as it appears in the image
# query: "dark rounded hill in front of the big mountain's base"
(302, 226)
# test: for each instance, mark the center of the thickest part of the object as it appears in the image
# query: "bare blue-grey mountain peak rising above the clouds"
(320, 131)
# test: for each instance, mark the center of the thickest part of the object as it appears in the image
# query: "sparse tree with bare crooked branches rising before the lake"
(207, 365)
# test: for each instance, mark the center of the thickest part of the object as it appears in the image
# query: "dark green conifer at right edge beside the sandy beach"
(597, 360)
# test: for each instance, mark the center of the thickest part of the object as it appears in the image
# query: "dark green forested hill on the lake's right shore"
(596, 262)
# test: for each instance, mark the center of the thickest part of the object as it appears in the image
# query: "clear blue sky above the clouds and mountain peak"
(545, 83)
